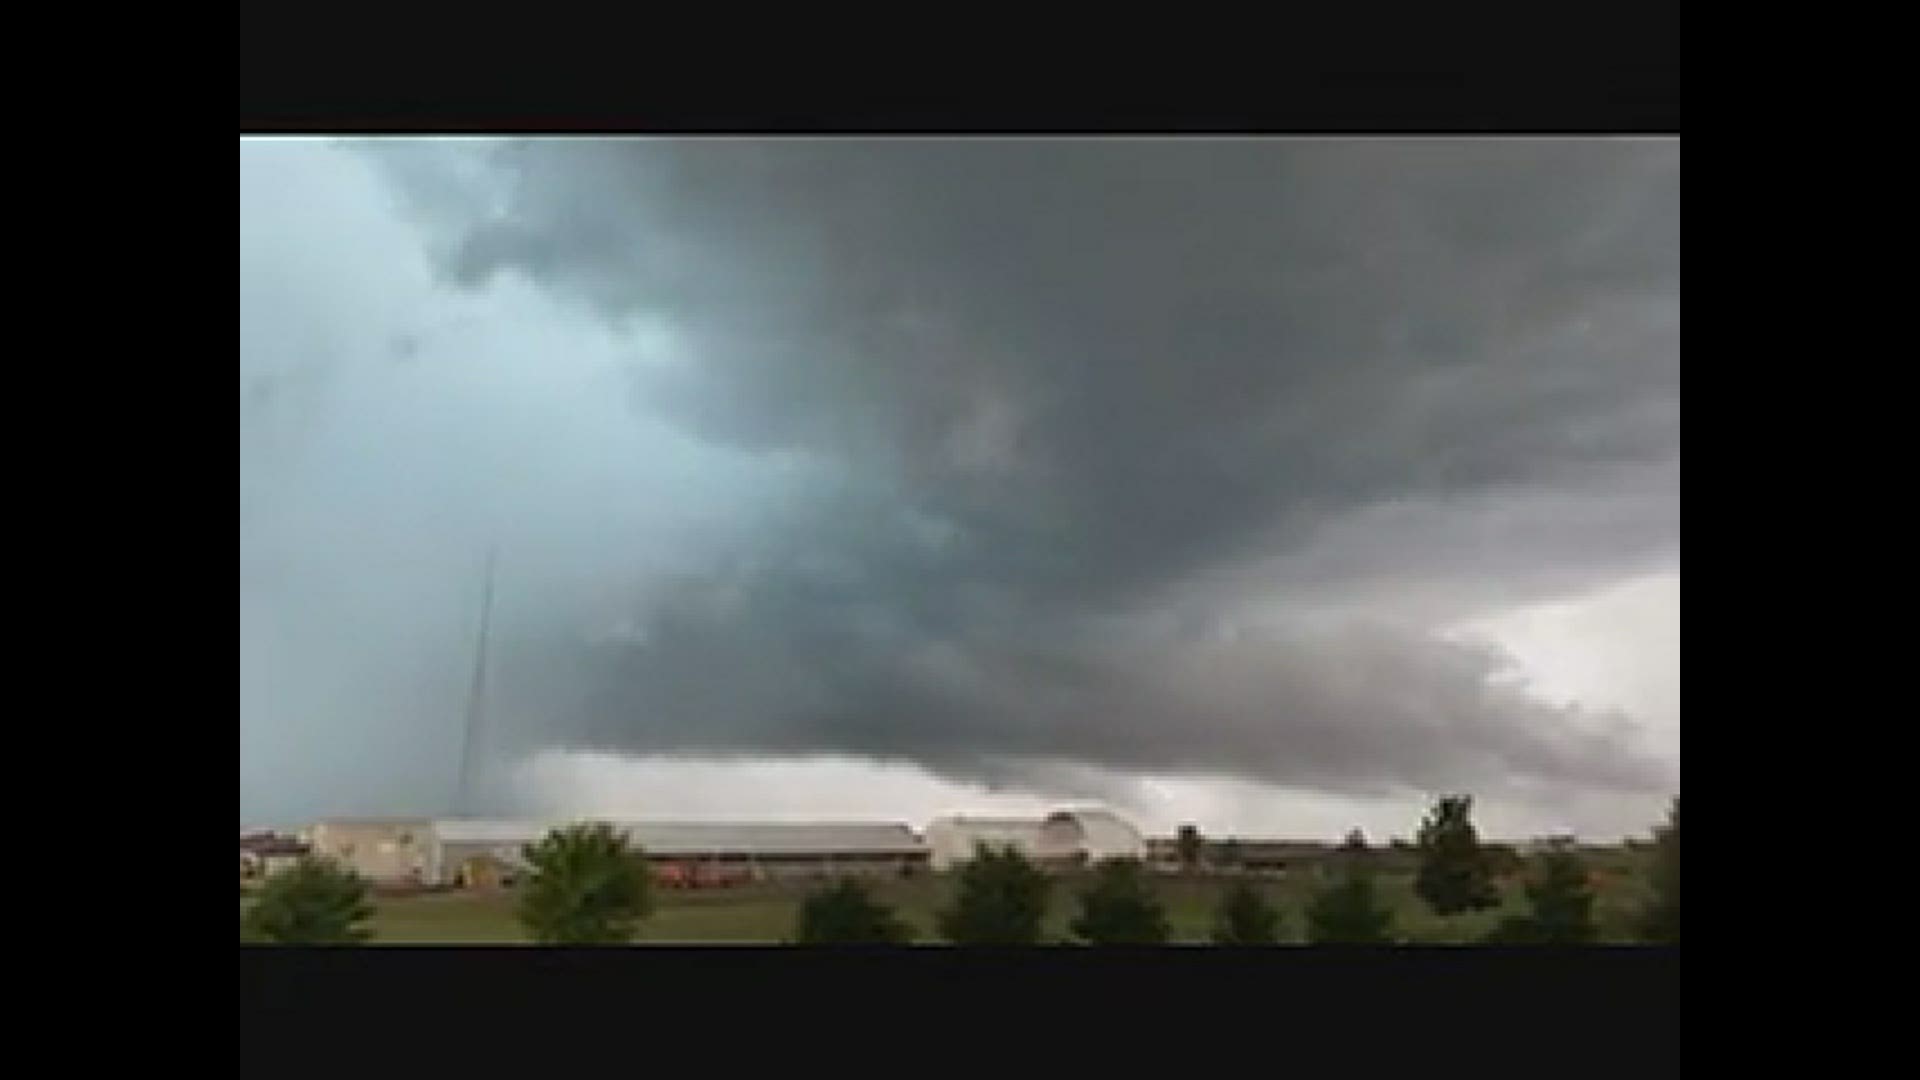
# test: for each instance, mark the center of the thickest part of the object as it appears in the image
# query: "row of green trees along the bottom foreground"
(587, 887)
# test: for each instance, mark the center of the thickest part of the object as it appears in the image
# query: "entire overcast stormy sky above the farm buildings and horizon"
(1274, 485)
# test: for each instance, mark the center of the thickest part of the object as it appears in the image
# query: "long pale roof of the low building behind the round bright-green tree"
(708, 837)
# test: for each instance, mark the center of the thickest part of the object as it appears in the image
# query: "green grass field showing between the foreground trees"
(767, 914)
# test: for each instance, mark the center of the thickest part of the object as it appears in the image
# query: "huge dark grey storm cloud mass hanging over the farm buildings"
(1161, 456)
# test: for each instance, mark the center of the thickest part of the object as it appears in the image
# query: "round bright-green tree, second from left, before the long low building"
(585, 887)
